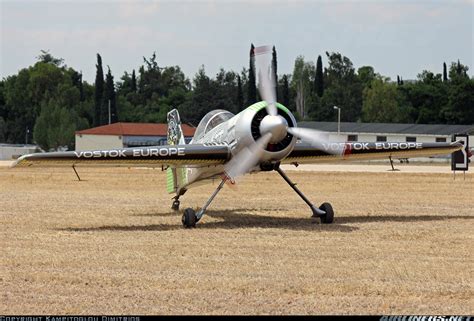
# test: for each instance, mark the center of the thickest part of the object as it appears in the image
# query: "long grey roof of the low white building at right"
(374, 128)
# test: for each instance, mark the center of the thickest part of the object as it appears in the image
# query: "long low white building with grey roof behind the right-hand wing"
(382, 132)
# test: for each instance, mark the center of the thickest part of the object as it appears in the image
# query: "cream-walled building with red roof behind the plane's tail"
(122, 135)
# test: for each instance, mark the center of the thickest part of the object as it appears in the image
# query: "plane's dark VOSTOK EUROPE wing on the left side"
(171, 155)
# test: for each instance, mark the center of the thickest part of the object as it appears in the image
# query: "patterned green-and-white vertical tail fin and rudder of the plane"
(175, 177)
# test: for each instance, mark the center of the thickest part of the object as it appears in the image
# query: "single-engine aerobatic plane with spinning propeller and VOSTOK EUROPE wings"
(226, 146)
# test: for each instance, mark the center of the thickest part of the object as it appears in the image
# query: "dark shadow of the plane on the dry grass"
(230, 219)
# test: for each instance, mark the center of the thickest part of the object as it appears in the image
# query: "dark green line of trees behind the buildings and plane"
(47, 102)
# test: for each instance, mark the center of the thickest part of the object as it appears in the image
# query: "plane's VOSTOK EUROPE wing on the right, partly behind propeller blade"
(304, 153)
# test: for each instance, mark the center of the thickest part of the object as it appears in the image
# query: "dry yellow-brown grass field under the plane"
(402, 243)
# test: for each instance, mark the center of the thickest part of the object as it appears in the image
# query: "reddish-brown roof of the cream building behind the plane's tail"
(135, 129)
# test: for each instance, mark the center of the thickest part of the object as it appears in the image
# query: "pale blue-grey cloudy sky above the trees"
(395, 37)
